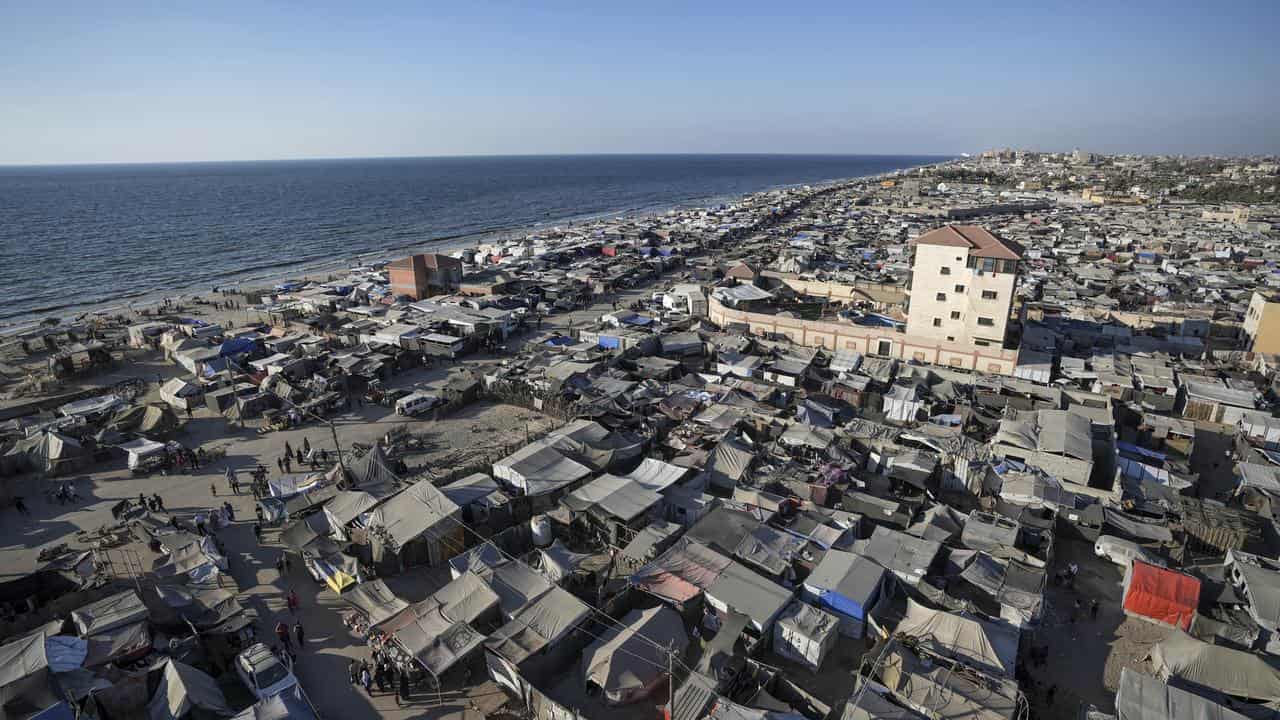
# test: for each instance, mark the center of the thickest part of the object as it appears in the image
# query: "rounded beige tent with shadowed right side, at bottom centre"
(625, 663)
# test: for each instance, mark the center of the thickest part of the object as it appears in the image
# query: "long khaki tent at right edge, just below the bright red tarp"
(1229, 672)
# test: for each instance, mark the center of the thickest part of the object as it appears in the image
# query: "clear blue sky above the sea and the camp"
(230, 80)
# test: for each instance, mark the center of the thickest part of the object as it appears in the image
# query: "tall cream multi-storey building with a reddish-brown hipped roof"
(962, 289)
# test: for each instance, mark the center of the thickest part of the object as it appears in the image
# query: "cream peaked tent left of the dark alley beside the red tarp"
(991, 648)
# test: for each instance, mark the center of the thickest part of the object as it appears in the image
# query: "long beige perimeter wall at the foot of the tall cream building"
(870, 340)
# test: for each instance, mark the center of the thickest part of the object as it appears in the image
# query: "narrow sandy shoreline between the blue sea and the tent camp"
(241, 281)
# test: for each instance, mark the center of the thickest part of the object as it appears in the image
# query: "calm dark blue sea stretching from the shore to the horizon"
(79, 238)
